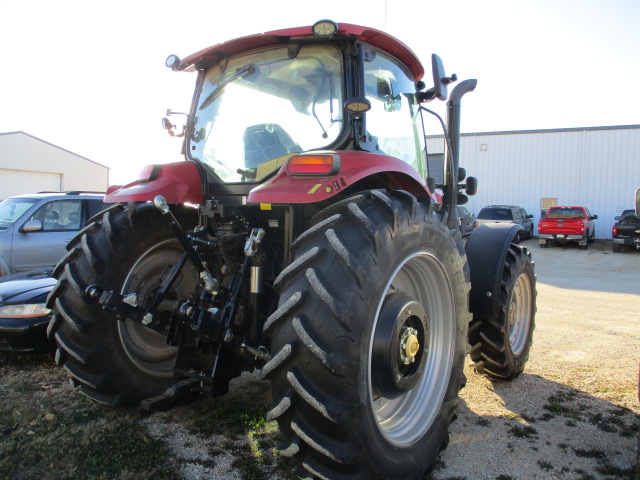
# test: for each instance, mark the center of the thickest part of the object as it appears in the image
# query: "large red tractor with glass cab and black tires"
(303, 236)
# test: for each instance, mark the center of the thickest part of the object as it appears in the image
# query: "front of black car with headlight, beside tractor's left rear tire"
(23, 314)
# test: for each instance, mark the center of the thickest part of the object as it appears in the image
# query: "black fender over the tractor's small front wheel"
(486, 250)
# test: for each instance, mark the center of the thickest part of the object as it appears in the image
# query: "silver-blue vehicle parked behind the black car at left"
(35, 229)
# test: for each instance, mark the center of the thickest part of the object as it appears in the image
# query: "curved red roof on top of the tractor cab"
(371, 36)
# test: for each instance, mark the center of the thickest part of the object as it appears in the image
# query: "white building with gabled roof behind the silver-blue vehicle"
(29, 165)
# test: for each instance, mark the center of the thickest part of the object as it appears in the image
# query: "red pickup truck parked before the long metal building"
(567, 224)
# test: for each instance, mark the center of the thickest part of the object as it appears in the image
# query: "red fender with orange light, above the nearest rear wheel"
(352, 167)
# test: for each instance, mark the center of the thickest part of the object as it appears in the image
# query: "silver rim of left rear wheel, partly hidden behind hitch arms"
(145, 348)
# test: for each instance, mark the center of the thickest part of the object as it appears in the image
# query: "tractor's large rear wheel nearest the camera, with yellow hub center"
(377, 281)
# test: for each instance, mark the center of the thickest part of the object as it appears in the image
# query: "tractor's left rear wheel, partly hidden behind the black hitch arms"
(116, 362)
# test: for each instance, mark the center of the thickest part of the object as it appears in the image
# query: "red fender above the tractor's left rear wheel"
(178, 182)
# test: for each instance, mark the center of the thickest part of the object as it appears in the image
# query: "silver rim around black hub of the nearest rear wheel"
(404, 420)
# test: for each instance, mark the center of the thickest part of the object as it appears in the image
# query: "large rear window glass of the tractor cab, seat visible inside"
(257, 109)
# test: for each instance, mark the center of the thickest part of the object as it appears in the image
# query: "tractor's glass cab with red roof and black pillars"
(263, 99)
